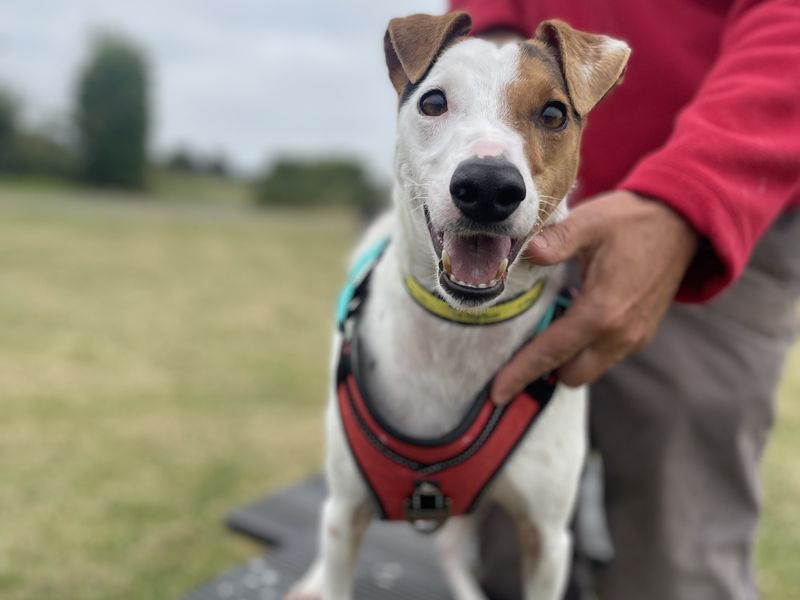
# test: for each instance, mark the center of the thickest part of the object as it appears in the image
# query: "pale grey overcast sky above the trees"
(245, 77)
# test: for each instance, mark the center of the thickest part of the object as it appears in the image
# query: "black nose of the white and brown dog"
(487, 189)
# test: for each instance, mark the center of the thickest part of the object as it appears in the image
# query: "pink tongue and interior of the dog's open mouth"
(474, 259)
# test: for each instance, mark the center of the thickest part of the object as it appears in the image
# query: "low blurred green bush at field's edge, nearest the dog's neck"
(334, 182)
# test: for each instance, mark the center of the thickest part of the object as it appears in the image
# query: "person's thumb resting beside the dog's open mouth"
(556, 243)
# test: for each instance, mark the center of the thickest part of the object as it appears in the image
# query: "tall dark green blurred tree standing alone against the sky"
(113, 114)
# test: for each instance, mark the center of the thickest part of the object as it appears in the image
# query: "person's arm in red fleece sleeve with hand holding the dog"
(731, 166)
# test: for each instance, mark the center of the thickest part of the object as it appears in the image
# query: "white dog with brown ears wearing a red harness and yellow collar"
(487, 152)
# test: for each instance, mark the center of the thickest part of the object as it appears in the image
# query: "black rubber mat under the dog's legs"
(395, 563)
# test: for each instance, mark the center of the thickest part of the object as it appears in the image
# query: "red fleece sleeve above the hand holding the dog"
(732, 163)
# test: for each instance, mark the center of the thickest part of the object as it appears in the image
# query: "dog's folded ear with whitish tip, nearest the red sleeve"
(592, 64)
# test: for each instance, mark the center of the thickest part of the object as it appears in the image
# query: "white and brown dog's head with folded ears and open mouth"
(488, 139)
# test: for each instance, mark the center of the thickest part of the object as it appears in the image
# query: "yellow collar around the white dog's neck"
(492, 315)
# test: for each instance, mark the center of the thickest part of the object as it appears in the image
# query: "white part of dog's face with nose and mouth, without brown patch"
(455, 143)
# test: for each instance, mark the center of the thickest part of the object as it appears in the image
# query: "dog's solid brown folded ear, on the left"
(412, 44)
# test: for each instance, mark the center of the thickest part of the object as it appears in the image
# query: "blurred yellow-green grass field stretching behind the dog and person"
(163, 362)
